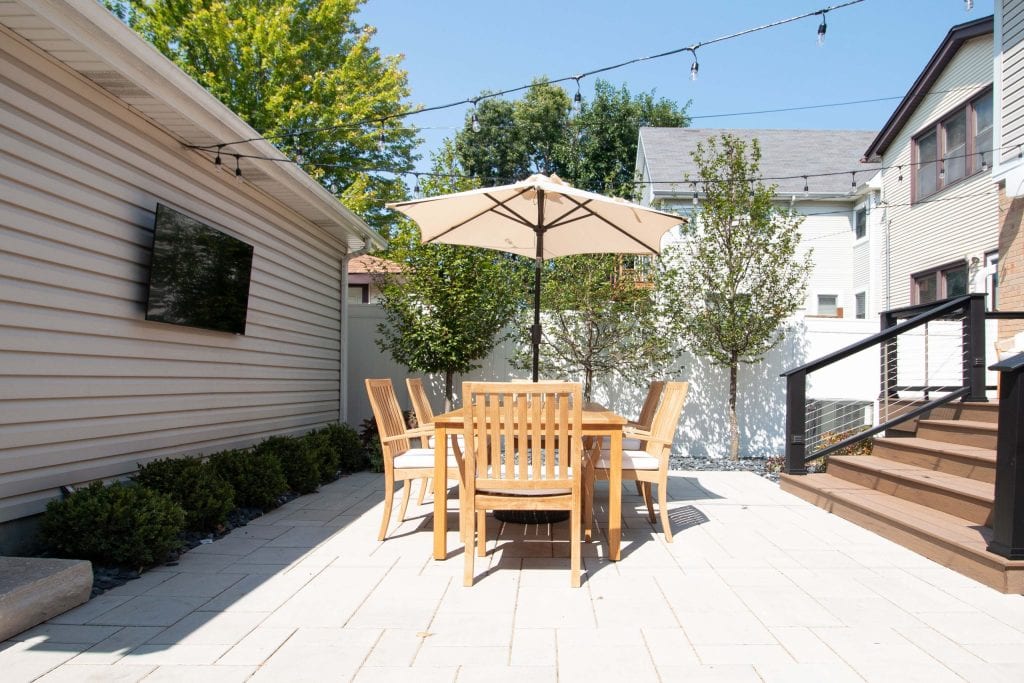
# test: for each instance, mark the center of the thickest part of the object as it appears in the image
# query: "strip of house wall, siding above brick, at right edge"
(1008, 169)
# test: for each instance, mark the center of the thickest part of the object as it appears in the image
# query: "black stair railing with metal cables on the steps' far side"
(974, 375)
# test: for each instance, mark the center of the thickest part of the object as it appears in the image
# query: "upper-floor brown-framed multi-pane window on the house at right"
(957, 147)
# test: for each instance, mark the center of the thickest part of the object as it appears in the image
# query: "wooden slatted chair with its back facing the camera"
(514, 461)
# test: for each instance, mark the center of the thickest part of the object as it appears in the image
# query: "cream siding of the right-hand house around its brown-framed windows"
(956, 223)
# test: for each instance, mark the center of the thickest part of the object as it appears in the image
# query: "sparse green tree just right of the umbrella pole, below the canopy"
(600, 323)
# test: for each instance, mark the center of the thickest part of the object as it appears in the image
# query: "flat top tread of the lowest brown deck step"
(969, 538)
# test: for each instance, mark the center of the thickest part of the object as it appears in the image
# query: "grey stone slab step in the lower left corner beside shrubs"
(35, 589)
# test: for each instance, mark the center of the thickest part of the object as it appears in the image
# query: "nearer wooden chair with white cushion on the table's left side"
(402, 461)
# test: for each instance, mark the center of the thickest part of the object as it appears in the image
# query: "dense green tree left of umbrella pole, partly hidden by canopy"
(448, 308)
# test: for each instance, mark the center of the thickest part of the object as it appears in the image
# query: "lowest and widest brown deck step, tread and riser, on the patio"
(952, 541)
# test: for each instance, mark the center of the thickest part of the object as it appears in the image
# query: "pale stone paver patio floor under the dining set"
(758, 586)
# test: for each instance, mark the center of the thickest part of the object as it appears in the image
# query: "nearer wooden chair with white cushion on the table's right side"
(649, 465)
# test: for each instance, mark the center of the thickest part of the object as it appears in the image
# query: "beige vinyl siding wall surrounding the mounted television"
(90, 389)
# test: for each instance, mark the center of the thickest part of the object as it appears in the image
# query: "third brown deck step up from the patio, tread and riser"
(965, 461)
